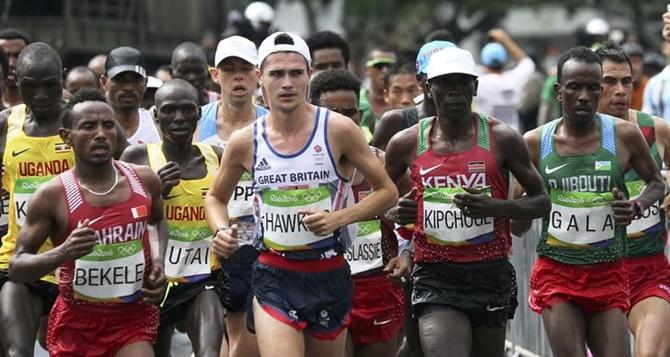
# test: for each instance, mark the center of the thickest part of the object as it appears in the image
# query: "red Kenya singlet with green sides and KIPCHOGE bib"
(442, 232)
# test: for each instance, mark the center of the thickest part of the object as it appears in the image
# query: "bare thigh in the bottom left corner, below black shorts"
(20, 309)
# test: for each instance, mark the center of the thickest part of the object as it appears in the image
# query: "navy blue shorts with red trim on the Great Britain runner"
(318, 302)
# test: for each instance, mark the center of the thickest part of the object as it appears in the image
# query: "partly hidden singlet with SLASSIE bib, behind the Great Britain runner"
(375, 242)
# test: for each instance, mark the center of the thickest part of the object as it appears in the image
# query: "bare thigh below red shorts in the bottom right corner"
(648, 320)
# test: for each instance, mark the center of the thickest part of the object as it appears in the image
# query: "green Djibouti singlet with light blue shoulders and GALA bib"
(580, 227)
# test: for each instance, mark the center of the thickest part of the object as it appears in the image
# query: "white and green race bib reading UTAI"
(187, 258)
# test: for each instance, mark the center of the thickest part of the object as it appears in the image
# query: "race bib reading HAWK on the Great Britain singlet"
(281, 218)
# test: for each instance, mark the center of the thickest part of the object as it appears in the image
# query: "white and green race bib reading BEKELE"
(110, 273)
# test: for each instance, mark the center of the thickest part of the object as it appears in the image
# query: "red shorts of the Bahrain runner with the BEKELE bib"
(85, 330)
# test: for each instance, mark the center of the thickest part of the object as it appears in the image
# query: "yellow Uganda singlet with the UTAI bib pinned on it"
(188, 257)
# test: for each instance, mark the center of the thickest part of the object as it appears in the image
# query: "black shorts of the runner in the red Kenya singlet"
(486, 292)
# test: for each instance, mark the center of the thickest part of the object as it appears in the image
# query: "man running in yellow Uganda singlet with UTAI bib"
(196, 292)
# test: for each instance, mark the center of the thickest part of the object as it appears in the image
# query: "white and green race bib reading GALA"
(580, 218)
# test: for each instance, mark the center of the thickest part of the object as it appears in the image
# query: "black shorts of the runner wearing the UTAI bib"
(180, 296)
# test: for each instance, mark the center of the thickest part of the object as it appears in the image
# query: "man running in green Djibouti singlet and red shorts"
(579, 283)
